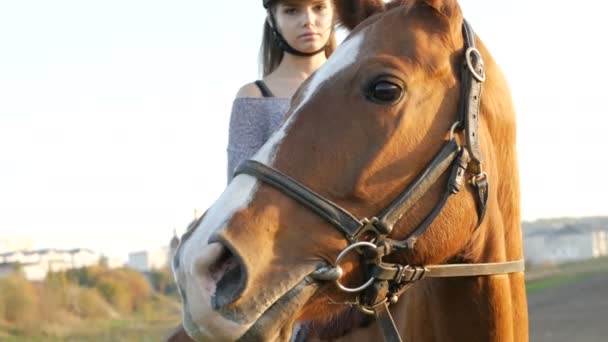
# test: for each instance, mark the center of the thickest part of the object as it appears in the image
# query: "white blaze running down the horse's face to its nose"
(237, 196)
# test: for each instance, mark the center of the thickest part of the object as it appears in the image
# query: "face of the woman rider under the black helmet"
(305, 25)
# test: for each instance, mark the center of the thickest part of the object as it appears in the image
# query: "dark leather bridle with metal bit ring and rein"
(370, 237)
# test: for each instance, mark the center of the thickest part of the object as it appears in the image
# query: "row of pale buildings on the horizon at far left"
(35, 264)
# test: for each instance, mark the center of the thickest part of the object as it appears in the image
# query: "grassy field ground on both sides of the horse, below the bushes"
(568, 302)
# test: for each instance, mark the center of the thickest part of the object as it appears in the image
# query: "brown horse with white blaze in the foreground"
(363, 128)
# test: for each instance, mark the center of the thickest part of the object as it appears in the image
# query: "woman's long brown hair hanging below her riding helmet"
(270, 52)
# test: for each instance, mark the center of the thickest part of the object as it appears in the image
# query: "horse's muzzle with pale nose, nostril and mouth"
(226, 298)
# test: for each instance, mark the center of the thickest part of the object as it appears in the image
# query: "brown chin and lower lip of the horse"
(278, 321)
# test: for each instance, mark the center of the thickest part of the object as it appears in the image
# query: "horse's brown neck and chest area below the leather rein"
(465, 309)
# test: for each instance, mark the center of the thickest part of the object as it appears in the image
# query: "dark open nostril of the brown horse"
(228, 274)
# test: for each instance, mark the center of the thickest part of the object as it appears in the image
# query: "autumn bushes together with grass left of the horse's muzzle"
(88, 304)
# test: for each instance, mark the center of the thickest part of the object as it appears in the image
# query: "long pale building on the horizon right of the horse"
(568, 242)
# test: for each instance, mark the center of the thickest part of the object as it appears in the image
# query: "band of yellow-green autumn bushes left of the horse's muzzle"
(89, 293)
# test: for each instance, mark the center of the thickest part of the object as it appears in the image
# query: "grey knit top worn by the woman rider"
(252, 121)
